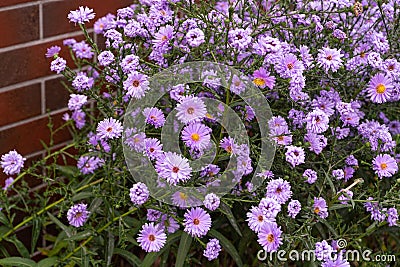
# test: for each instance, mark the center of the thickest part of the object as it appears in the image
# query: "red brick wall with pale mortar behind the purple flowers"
(29, 91)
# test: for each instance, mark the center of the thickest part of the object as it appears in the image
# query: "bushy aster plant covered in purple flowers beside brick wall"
(329, 75)
